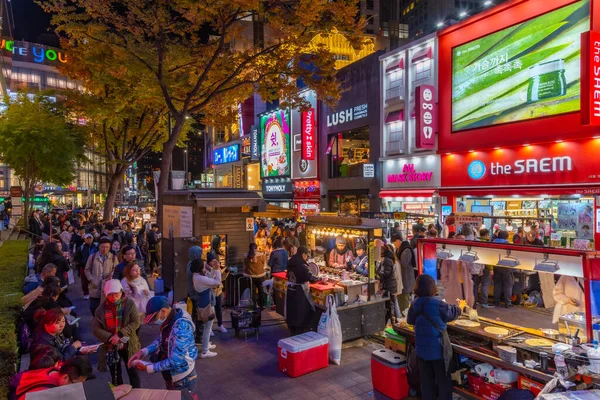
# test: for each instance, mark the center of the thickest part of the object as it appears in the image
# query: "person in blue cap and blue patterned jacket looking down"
(174, 352)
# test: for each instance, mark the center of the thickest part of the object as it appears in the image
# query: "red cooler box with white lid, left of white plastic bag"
(302, 354)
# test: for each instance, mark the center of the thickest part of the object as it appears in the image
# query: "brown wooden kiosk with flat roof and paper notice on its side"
(197, 218)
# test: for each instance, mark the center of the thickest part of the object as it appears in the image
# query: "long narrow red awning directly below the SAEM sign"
(567, 190)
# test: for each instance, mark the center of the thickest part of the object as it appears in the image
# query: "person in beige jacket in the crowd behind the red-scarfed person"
(98, 269)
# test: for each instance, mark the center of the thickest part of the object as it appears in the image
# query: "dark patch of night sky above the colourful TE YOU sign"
(31, 23)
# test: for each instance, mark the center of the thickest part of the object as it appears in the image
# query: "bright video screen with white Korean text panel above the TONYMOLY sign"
(275, 144)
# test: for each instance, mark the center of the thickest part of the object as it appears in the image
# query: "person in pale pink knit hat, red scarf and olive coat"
(115, 319)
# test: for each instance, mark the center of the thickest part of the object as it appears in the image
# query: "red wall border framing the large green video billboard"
(562, 126)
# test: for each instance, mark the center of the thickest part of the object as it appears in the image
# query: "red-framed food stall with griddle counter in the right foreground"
(526, 343)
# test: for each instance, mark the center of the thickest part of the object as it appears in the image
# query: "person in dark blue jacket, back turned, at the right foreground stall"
(429, 316)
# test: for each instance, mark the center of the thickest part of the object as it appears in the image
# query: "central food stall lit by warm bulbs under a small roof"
(360, 308)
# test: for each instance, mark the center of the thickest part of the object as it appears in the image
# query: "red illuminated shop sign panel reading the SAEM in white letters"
(548, 165)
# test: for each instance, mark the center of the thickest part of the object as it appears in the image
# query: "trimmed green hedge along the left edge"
(13, 259)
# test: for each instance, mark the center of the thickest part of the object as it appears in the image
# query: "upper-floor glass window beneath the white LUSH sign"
(347, 151)
